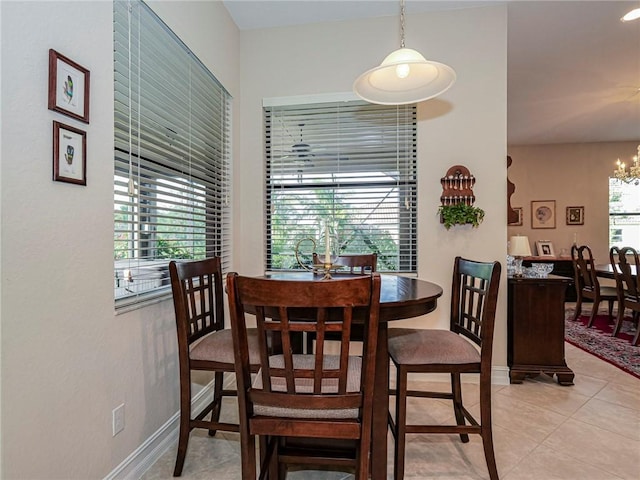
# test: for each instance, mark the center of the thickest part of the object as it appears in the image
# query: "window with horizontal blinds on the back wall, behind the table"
(352, 163)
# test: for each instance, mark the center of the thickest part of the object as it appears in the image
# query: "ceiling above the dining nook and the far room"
(573, 66)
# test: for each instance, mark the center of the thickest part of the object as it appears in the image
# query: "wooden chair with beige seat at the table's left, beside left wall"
(203, 344)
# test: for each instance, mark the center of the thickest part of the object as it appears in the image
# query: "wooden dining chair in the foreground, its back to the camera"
(297, 399)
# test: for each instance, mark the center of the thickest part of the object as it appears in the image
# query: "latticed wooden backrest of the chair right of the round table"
(474, 298)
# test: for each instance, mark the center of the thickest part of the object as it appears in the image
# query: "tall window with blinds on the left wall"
(172, 160)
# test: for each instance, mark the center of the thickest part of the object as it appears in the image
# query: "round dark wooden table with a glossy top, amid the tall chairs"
(401, 297)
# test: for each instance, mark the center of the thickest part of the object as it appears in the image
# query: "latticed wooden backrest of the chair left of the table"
(198, 297)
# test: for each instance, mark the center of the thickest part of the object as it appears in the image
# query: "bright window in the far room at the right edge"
(624, 214)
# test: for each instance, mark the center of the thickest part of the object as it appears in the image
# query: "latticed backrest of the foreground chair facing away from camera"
(284, 308)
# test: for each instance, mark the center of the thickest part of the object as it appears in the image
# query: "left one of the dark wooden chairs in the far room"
(587, 284)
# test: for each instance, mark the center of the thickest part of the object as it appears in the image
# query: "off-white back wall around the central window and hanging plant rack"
(466, 125)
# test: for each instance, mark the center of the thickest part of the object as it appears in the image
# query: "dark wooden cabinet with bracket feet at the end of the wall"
(535, 328)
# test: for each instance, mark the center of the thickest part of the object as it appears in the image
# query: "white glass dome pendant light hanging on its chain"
(404, 76)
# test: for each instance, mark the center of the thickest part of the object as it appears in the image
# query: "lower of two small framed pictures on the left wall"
(69, 154)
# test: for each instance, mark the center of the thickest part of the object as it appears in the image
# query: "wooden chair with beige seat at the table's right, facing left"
(473, 308)
